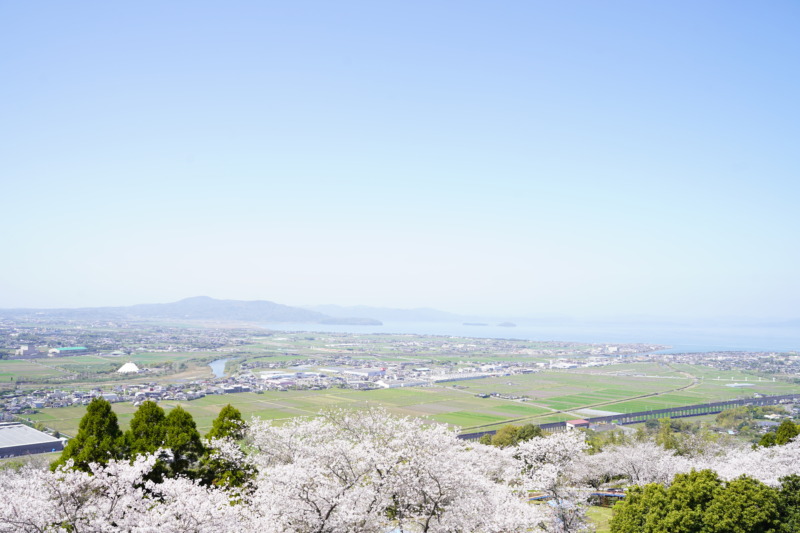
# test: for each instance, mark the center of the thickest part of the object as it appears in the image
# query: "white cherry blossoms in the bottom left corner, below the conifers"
(110, 498)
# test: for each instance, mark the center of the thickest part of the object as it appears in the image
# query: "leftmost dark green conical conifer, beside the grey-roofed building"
(99, 438)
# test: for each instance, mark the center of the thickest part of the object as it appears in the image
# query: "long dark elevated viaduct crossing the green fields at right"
(672, 412)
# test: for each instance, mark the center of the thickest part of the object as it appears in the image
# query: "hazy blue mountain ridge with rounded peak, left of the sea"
(200, 308)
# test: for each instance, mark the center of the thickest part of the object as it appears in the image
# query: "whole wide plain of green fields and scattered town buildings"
(471, 383)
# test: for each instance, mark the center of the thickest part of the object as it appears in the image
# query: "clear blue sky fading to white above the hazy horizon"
(522, 158)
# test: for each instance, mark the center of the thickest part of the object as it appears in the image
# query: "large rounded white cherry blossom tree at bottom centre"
(368, 471)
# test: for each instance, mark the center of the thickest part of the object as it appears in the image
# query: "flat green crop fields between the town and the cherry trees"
(547, 396)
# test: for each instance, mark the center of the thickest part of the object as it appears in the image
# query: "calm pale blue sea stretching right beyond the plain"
(680, 338)
